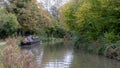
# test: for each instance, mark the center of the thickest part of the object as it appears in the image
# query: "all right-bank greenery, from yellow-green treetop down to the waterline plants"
(94, 20)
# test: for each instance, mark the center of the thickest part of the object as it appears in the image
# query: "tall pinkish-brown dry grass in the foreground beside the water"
(12, 57)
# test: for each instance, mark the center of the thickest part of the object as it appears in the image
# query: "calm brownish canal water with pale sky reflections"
(63, 56)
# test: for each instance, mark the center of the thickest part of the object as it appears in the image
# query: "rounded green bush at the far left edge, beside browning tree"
(9, 24)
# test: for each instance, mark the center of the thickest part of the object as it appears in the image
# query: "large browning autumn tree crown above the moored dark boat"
(29, 14)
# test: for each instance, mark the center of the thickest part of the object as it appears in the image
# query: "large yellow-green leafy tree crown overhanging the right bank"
(93, 19)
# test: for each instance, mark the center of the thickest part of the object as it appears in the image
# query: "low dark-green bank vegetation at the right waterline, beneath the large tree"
(109, 50)
